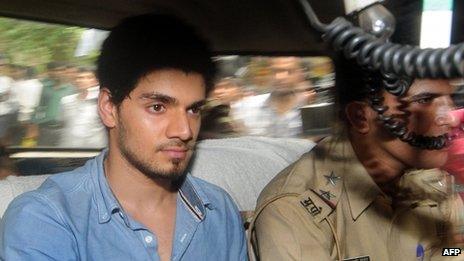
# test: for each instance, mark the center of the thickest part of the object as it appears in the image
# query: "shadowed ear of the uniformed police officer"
(358, 114)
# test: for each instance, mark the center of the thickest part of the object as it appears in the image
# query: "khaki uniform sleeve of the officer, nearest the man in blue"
(285, 232)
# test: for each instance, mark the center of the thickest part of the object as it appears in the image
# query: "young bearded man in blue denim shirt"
(135, 201)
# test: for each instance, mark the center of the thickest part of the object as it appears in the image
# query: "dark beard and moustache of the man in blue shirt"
(149, 169)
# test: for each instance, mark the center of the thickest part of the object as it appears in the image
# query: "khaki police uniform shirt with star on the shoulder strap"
(325, 206)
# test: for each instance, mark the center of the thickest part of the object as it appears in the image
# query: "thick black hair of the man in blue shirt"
(141, 44)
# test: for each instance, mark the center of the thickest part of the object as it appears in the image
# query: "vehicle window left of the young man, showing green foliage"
(48, 87)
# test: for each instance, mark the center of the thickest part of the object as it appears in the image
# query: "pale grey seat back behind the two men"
(241, 166)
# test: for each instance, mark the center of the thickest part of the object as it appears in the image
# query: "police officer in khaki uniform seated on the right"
(365, 194)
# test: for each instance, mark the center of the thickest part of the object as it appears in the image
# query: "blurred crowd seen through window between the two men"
(263, 96)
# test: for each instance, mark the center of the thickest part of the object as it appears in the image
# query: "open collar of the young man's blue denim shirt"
(191, 194)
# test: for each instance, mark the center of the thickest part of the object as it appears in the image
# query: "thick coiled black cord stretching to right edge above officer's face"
(401, 60)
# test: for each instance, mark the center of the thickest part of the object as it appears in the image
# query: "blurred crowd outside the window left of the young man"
(56, 108)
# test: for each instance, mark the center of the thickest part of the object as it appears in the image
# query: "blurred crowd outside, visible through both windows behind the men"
(252, 96)
